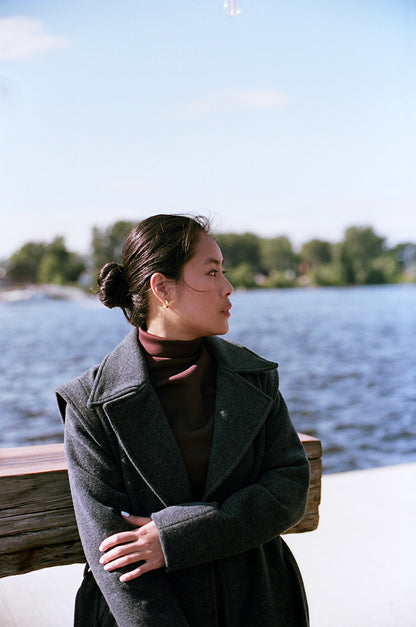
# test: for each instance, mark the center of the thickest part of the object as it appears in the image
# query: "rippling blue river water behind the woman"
(346, 360)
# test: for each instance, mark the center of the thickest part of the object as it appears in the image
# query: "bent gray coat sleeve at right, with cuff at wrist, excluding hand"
(195, 533)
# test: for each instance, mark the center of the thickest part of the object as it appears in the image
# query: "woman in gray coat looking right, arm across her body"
(183, 462)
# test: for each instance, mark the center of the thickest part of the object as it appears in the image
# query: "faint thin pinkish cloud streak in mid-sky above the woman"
(249, 99)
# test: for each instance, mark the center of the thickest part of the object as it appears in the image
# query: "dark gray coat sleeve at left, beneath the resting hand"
(99, 496)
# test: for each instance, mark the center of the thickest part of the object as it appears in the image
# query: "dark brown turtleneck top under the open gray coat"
(183, 375)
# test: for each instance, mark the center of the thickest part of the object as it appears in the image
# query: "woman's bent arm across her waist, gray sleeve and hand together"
(251, 516)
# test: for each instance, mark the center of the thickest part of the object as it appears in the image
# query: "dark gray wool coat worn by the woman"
(226, 563)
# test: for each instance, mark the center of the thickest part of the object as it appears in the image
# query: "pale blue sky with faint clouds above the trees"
(294, 118)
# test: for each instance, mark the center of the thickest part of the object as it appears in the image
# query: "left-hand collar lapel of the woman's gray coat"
(124, 390)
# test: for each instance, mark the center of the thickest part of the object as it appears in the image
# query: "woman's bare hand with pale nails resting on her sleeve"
(138, 545)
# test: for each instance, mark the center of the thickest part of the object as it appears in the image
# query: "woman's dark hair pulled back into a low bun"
(161, 243)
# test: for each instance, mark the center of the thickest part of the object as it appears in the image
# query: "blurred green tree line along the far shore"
(361, 258)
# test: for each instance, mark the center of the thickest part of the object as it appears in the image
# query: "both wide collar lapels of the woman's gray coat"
(123, 388)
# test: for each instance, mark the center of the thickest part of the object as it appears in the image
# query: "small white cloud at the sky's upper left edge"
(23, 37)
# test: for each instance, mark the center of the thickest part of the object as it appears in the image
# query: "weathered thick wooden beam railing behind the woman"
(37, 522)
